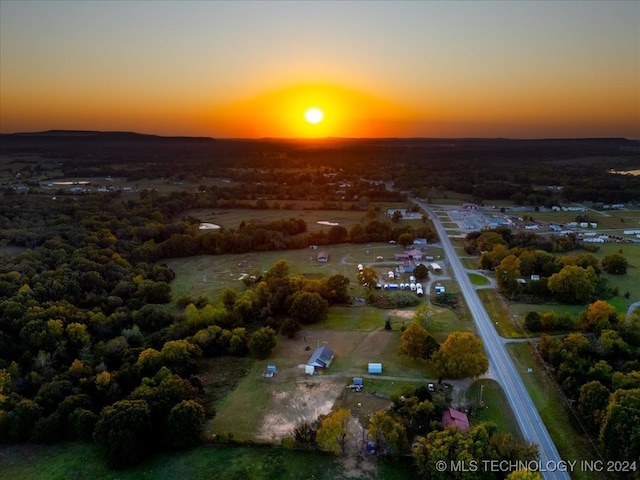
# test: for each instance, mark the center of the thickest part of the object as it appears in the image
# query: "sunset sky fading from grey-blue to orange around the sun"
(250, 69)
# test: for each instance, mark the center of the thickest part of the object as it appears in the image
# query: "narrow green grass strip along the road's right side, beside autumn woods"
(560, 422)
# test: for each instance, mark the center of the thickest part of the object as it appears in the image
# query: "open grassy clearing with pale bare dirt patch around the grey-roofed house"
(269, 408)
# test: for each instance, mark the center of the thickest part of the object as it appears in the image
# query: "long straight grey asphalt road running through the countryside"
(502, 368)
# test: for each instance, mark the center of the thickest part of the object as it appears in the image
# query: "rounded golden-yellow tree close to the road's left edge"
(461, 355)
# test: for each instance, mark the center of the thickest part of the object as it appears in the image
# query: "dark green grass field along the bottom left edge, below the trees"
(85, 461)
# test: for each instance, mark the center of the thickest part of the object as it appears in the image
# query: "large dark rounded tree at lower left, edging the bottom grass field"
(123, 429)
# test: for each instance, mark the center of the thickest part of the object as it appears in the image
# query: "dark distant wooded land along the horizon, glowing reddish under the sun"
(519, 170)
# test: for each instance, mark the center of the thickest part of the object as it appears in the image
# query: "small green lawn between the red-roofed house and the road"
(494, 407)
